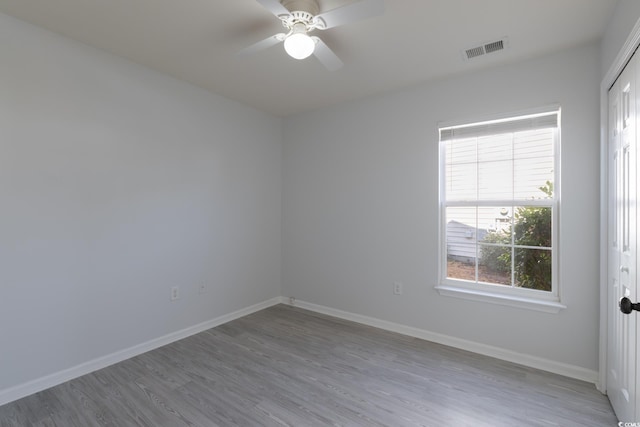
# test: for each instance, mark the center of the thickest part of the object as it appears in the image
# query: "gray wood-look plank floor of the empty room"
(288, 366)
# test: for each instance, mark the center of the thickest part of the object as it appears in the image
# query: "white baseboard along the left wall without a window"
(26, 389)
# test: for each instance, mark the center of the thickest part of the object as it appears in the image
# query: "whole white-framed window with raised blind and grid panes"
(499, 202)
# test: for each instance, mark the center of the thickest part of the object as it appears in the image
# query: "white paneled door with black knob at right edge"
(622, 263)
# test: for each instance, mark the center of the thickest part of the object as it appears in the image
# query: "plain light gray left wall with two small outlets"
(117, 183)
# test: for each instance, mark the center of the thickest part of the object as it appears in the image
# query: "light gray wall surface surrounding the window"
(361, 206)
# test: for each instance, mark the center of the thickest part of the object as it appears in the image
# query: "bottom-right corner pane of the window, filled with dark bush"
(533, 268)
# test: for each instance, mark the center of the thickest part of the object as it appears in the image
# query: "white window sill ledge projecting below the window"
(501, 299)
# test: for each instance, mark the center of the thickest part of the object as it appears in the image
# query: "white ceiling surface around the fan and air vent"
(414, 41)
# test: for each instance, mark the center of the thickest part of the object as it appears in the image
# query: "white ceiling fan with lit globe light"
(300, 17)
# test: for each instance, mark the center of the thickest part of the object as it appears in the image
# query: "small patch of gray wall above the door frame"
(625, 16)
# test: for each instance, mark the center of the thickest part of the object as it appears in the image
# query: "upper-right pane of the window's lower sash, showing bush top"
(532, 226)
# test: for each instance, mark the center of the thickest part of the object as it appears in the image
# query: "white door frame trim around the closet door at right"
(632, 43)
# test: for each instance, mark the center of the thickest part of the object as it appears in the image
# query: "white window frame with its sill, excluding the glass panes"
(546, 301)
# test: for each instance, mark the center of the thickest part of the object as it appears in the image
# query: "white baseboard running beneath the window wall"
(559, 368)
